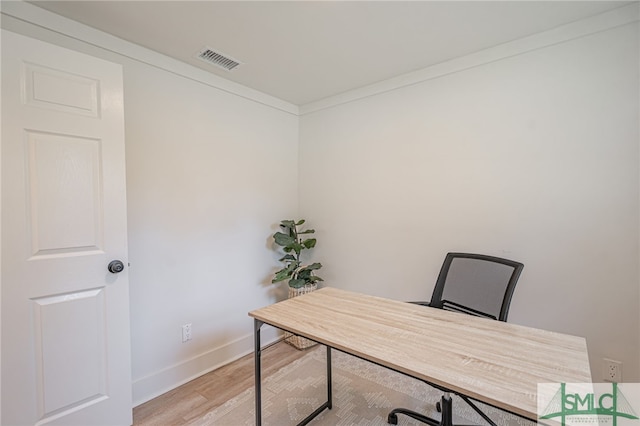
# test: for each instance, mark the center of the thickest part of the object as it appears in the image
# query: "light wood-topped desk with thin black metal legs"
(494, 362)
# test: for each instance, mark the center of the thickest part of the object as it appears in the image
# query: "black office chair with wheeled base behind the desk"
(473, 284)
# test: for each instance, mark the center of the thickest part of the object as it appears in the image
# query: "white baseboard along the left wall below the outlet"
(154, 385)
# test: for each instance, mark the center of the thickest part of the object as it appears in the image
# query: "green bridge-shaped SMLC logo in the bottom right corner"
(605, 405)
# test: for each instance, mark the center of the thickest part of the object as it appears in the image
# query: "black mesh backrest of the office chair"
(476, 284)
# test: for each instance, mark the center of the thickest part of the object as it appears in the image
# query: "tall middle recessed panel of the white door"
(65, 182)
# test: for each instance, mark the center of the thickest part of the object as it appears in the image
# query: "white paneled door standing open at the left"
(65, 317)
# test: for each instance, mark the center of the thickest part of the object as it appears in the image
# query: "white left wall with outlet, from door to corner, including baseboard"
(210, 174)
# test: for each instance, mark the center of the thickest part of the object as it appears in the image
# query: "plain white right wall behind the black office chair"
(533, 157)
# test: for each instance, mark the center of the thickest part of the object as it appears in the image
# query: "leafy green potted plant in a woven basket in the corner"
(301, 278)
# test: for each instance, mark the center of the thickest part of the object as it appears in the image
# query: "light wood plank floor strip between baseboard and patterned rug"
(194, 399)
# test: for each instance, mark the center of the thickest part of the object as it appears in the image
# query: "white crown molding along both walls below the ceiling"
(22, 11)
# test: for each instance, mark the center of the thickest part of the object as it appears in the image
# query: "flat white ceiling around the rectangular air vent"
(304, 51)
